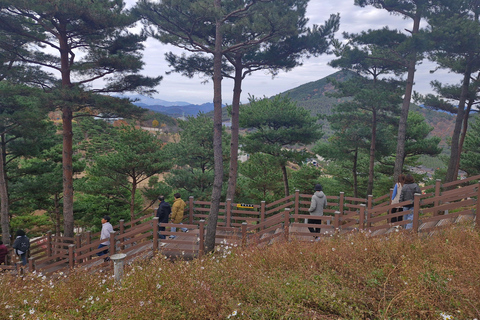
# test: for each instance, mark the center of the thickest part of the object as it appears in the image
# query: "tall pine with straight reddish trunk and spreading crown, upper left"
(86, 41)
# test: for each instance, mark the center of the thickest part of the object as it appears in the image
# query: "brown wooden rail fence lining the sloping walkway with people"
(246, 224)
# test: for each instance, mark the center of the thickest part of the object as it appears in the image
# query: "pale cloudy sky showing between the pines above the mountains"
(175, 87)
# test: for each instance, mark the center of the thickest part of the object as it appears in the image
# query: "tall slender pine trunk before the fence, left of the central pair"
(217, 138)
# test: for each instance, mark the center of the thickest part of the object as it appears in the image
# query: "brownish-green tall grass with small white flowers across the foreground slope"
(402, 276)
